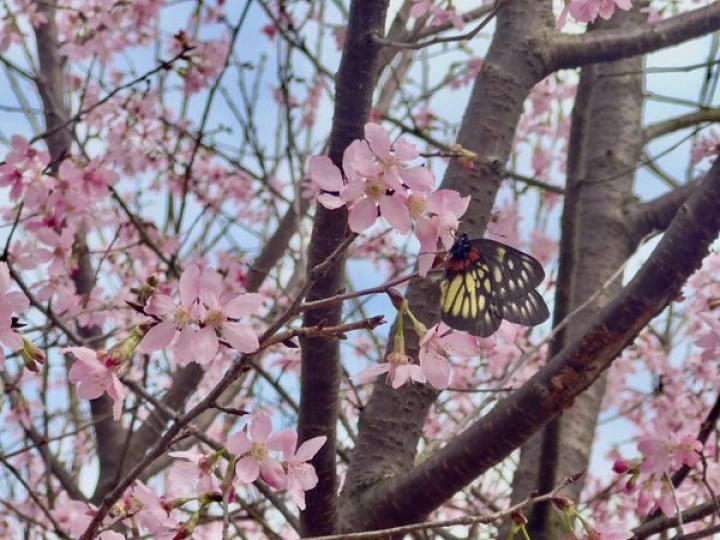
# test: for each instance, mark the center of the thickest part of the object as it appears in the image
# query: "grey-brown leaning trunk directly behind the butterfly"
(391, 423)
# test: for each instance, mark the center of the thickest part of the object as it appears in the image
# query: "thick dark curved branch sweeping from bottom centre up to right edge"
(513, 420)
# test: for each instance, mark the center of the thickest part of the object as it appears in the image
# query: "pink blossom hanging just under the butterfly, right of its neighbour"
(436, 346)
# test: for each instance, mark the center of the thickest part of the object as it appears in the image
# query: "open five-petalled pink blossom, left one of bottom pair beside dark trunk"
(254, 452)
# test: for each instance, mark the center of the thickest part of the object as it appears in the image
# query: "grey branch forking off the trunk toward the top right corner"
(579, 50)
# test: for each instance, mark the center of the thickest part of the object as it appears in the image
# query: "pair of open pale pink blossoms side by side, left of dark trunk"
(204, 316)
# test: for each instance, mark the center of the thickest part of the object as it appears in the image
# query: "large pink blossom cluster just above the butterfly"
(377, 181)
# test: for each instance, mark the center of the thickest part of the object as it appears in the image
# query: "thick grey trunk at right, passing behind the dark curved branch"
(606, 143)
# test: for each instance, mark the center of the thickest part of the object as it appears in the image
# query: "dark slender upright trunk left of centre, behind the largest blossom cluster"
(321, 370)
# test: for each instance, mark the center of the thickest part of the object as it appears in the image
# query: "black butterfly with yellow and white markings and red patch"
(486, 281)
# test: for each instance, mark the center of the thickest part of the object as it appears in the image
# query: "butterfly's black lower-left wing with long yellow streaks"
(466, 301)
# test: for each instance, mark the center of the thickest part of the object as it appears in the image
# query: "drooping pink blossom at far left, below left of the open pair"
(95, 375)
